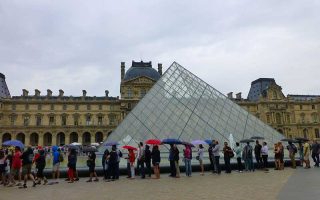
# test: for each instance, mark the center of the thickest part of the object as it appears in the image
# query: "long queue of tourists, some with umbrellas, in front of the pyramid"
(16, 165)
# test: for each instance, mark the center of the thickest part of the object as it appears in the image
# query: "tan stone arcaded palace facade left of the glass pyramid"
(56, 120)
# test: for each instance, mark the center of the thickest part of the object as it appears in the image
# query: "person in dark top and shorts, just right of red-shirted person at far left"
(27, 158)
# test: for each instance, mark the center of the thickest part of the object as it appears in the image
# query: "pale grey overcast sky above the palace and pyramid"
(76, 45)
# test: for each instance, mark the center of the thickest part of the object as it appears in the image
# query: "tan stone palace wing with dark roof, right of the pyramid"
(292, 115)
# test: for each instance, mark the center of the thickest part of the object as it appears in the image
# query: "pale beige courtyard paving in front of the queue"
(256, 185)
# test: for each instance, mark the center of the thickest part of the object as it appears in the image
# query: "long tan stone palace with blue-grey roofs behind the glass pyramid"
(47, 119)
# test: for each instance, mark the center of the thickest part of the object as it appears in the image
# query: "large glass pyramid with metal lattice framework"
(180, 105)
